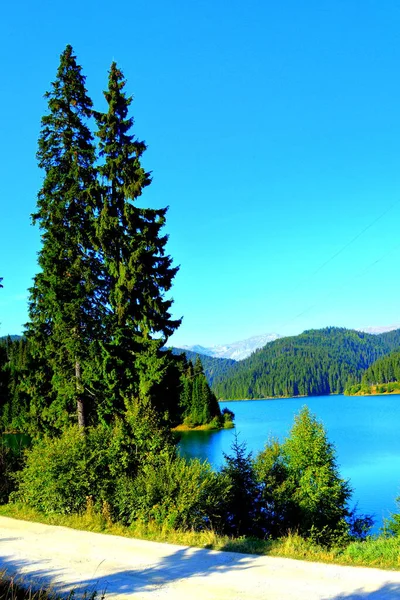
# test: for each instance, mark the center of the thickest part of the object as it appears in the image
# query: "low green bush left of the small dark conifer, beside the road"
(174, 493)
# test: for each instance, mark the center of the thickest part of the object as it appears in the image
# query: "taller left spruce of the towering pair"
(65, 300)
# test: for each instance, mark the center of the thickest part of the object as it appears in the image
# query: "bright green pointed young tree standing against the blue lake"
(302, 487)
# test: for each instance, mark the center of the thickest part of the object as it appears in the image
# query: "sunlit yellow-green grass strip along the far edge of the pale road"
(380, 552)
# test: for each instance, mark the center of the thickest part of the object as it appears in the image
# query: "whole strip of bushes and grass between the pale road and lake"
(287, 501)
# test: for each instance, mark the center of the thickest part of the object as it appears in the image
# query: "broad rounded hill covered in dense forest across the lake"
(317, 362)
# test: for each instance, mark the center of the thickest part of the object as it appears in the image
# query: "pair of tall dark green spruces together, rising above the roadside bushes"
(98, 310)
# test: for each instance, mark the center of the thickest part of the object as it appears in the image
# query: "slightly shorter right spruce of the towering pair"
(138, 272)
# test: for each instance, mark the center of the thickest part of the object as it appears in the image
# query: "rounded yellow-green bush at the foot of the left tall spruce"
(61, 473)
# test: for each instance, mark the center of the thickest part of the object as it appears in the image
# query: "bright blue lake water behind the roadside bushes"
(364, 430)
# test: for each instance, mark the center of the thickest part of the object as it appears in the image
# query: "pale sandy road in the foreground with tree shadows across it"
(128, 568)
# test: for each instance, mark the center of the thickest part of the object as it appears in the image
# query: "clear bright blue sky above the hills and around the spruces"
(273, 132)
